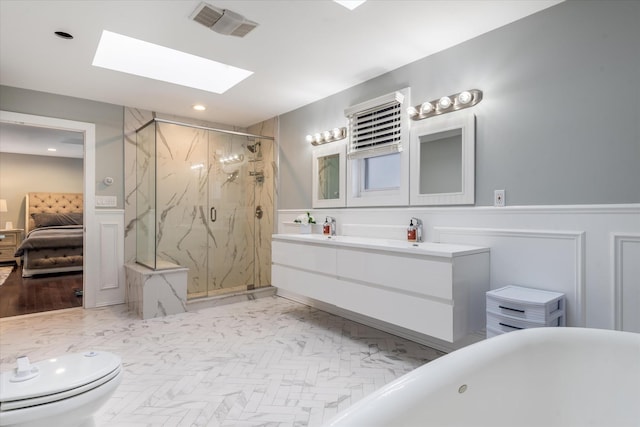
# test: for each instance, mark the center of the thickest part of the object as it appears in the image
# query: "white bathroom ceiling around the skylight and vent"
(302, 50)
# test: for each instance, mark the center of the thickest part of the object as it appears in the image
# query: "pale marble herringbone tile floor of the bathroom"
(266, 362)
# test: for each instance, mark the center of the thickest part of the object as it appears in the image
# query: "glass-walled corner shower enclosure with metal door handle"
(204, 200)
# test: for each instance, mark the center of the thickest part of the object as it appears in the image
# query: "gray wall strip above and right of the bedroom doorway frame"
(108, 118)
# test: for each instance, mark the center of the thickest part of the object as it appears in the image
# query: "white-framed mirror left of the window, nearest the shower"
(328, 174)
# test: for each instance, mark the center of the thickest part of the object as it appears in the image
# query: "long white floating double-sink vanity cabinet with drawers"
(430, 288)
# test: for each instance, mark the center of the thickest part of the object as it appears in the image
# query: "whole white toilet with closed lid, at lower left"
(62, 392)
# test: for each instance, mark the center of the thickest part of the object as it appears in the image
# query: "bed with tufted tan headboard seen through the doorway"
(54, 234)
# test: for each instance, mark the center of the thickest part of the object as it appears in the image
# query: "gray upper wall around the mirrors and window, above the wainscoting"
(559, 122)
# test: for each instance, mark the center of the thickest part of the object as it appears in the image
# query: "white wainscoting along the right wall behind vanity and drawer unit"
(589, 252)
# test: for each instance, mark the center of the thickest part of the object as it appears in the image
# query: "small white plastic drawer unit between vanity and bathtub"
(514, 307)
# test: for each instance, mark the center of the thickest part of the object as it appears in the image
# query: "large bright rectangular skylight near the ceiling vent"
(128, 55)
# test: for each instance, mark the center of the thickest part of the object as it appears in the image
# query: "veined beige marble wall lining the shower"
(224, 255)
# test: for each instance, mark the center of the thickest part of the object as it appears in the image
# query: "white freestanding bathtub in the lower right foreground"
(534, 377)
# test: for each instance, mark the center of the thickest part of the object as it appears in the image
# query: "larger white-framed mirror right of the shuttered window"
(443, 160)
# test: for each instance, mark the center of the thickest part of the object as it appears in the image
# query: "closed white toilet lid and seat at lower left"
(59, 378)
